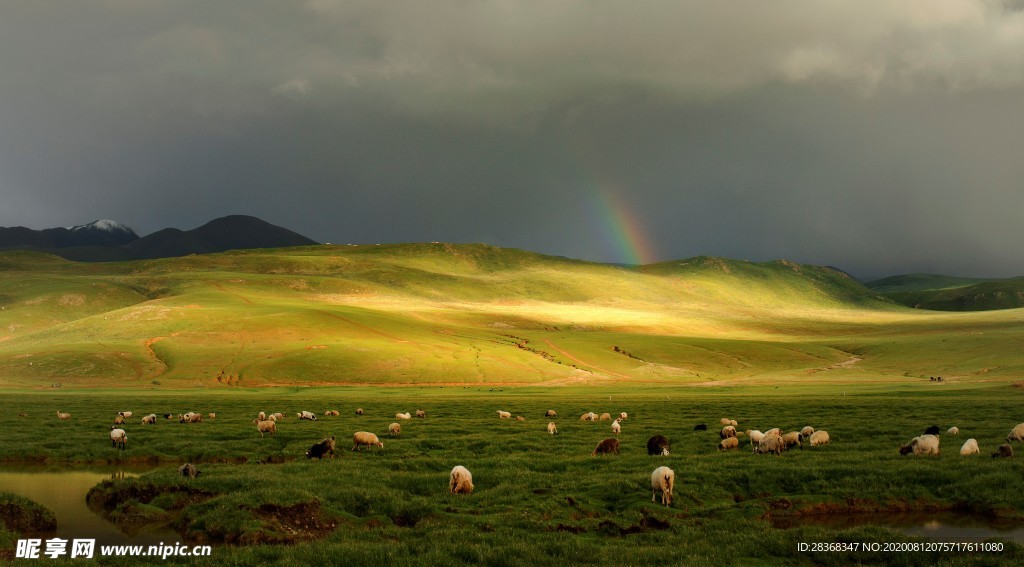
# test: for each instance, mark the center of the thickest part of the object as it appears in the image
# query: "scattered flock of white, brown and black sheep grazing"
(663, 478)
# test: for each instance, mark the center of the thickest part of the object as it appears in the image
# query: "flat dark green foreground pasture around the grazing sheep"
(539, 499)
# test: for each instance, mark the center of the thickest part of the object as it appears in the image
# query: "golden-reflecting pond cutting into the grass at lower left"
(63, 490)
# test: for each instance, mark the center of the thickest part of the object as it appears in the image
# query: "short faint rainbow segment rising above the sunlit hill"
(622, 232)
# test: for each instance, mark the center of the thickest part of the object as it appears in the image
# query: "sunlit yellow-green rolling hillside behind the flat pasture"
(436, 314)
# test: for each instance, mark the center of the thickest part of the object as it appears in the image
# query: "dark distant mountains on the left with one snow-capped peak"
(107, 241)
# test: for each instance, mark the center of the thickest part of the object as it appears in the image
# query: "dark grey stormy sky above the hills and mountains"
(877, 137)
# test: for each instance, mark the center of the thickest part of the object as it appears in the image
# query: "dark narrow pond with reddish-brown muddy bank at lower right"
(938, 527)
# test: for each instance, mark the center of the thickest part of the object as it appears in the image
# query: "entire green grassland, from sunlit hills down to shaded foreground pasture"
(464, 331)
